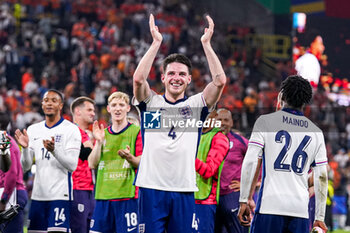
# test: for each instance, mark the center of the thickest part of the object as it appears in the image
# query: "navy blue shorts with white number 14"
(49, 216)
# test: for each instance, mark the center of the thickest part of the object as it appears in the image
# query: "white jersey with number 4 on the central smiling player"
(170, 147)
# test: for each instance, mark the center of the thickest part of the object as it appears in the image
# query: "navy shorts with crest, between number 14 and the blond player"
(83, 206)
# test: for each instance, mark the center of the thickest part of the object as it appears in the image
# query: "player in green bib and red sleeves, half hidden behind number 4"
(212, 150)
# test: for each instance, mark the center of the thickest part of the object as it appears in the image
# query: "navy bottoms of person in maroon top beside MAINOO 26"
(226, 215)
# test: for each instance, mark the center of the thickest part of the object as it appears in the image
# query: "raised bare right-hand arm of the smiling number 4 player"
(213, 90)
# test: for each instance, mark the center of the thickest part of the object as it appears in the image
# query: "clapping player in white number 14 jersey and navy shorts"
(55, 145)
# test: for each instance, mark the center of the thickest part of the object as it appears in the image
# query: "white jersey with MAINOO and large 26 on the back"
(291, 144)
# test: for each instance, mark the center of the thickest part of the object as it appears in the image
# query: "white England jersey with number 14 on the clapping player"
(53, 181)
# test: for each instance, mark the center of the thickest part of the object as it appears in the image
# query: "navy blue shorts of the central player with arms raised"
(164, 210)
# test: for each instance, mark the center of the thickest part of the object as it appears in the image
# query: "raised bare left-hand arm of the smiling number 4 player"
(140, 84)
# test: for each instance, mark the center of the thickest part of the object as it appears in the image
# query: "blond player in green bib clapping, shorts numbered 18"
(116, 155)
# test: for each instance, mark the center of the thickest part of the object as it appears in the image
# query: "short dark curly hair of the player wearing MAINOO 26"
(296, 91)
